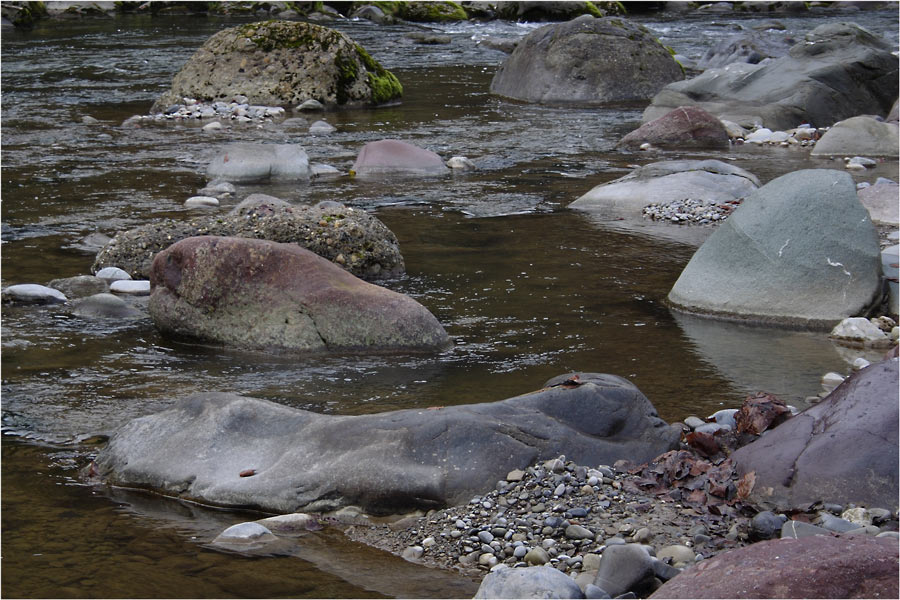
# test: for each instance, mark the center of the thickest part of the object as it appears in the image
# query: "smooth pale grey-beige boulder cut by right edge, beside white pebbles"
(865, 136)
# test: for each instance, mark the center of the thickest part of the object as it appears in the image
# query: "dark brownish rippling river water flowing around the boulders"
(527, 289)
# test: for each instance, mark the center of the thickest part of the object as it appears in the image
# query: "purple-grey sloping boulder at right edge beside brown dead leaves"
(842, 450)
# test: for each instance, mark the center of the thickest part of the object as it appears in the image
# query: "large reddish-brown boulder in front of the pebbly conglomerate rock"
(256, 294)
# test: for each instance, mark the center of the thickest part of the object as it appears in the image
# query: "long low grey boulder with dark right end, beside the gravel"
(388, 463)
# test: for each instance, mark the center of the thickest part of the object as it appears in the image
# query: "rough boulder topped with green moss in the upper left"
(282, 63)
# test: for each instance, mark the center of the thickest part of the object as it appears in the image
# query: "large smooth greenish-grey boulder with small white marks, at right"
(800, 250)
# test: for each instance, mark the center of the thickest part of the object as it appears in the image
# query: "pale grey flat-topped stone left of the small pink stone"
(242, 163)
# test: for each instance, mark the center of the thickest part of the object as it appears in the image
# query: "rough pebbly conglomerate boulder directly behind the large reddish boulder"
(350, 238)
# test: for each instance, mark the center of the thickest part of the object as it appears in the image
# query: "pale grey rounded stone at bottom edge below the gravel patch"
(528, 582)
